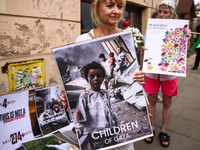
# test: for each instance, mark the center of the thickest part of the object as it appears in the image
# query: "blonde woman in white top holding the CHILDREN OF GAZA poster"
(106, 14)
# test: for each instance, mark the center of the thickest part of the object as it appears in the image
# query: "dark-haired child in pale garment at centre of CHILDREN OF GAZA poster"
(94, 112)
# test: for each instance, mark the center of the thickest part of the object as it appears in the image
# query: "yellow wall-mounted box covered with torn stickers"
(26, 75)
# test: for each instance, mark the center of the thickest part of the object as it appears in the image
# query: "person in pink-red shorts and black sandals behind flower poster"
(168, 83)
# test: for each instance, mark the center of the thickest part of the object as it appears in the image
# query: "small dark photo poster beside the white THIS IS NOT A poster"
(50, 112)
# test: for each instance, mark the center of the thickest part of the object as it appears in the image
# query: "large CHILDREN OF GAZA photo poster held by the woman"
(116, 114)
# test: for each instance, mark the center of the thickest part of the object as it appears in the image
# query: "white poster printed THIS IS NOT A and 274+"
(14, 120)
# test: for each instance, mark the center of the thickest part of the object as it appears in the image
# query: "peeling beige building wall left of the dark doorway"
(30, 28)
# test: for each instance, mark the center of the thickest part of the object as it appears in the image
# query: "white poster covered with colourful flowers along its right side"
(166, 42)
